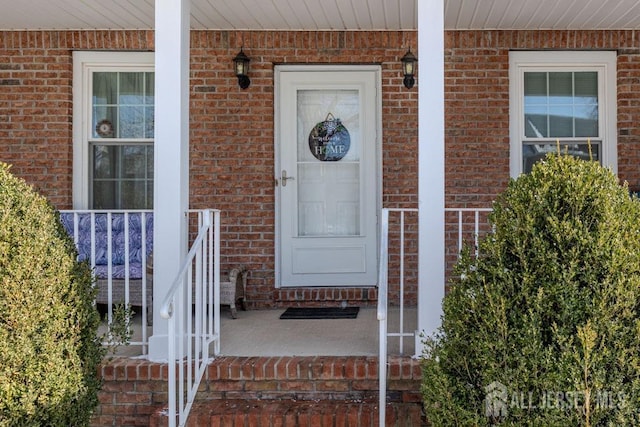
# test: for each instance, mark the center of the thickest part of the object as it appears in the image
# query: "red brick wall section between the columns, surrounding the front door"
(228, 122)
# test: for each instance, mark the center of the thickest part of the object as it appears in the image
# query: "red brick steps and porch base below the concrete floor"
(343, 389)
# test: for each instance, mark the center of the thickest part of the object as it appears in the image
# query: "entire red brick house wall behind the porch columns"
(232, 157)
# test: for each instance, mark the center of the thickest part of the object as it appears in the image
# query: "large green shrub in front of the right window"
(543, 329)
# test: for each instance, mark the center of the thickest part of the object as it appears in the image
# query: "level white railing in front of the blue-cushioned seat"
(117, 245)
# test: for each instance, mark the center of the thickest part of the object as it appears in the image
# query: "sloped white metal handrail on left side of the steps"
(191, 335)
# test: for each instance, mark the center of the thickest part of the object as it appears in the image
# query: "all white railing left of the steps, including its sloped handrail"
(118, 246)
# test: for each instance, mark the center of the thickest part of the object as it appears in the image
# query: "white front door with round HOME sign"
(327, 144)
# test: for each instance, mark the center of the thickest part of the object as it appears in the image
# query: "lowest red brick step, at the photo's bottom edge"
(296, 413)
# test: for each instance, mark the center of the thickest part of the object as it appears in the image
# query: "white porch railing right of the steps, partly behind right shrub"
(462, 225)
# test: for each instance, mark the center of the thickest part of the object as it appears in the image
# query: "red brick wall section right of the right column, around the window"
(477, 104)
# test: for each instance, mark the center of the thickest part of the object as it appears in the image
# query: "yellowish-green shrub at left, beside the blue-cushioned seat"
(49, 350)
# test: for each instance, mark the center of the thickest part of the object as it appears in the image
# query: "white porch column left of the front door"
(171, 157)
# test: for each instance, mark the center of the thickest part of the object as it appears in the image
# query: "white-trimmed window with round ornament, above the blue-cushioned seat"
(113, 130)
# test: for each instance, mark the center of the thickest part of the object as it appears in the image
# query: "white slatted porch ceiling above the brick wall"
(323, 15)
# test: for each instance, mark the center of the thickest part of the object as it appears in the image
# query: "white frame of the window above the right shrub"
(603, 62)
